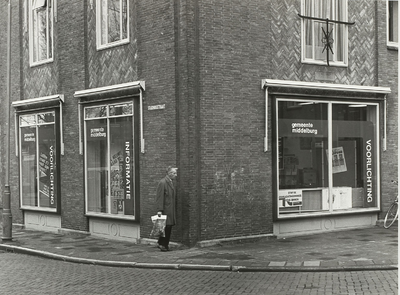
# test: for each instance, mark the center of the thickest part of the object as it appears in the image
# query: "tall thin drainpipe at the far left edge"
(7, 218)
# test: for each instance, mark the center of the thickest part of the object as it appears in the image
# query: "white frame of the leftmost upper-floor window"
(33, 6)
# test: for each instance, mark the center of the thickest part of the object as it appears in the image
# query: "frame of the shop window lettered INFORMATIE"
(134, 159)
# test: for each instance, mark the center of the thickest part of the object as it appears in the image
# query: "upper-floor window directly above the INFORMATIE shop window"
(112, 22)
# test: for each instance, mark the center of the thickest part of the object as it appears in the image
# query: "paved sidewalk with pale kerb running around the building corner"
(372, 248)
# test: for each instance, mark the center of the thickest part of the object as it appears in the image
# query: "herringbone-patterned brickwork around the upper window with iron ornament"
(286, 45)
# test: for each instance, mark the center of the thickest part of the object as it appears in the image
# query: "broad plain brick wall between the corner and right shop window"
(236, 174)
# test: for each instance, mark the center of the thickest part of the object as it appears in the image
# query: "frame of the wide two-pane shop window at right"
(331, 211)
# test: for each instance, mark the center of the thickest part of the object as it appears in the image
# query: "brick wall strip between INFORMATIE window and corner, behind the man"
(156, 66)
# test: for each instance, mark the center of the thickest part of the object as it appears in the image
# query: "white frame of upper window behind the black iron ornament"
(333, 62)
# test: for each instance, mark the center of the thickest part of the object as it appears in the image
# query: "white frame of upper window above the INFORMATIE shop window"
(99, 9)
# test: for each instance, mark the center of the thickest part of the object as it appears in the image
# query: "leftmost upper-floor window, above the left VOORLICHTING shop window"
(40, 31)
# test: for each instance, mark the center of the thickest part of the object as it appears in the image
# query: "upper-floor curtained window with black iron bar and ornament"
(316, 32)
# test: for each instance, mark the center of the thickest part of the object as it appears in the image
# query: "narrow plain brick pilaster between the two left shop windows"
(71, 58)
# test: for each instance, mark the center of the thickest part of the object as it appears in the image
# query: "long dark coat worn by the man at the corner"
(166, 199)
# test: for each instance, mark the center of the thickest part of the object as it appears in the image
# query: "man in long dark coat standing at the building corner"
(166, 205)
